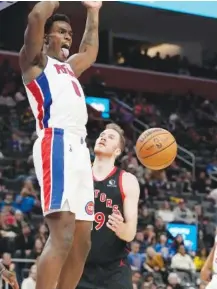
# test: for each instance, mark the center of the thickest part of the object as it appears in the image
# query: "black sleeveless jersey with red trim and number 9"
(109, 196)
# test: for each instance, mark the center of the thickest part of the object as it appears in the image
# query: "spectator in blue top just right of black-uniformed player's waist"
(135, 258)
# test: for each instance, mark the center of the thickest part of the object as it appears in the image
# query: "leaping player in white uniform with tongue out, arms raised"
(61, 158)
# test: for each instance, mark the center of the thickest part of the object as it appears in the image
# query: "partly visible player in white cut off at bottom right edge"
(210, 268)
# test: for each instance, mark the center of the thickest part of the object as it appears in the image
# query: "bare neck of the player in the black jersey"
(102, 166)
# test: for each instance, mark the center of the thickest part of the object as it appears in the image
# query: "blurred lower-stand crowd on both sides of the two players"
(158, 259)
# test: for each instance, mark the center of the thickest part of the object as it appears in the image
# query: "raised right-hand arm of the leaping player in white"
(89, 46)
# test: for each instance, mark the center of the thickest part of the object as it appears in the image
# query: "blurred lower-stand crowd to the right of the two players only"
(178, 195)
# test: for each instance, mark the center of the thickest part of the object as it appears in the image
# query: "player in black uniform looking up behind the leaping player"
(116, 204)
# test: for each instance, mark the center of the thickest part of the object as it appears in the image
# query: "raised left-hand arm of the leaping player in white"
(34, 34)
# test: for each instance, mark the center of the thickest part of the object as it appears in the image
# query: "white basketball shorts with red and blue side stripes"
(63, 168)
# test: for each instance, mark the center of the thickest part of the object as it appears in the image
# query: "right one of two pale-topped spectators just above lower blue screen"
(183, 214)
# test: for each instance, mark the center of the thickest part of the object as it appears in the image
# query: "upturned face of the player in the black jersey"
(108, 144)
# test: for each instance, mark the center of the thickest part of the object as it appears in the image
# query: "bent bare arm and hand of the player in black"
(125, 228)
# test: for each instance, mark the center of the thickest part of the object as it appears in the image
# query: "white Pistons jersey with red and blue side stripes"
(57, 99)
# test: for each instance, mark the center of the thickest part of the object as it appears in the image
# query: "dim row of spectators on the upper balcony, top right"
(135, 54)
